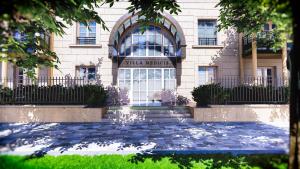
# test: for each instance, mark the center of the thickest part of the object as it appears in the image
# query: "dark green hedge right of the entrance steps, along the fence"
(243, 94)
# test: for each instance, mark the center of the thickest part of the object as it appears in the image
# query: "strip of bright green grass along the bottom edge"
(217, 161)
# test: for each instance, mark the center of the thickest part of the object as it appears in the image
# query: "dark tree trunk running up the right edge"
(294, 158)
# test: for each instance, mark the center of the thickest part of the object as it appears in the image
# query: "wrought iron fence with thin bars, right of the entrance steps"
(259, 90)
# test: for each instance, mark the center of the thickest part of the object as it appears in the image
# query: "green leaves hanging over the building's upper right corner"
(249, 16)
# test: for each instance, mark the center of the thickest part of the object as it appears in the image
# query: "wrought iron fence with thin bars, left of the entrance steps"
(45, 90)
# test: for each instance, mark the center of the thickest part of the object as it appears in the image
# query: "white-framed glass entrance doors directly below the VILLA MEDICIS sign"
(145, 84)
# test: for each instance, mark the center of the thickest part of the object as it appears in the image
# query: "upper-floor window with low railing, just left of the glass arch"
(87, 33)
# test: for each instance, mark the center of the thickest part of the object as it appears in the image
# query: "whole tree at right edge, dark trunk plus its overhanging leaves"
(248, 16)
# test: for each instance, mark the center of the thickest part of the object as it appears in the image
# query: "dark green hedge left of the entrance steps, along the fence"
(91, 95)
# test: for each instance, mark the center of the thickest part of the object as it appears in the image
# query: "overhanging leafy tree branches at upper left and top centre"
(33, 20)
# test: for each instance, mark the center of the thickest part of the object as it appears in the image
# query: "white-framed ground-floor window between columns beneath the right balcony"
(264, 76)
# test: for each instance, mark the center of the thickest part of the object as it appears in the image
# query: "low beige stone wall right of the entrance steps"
(265, 113)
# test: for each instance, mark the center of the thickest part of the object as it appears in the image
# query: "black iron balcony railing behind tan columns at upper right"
(264, 41)
